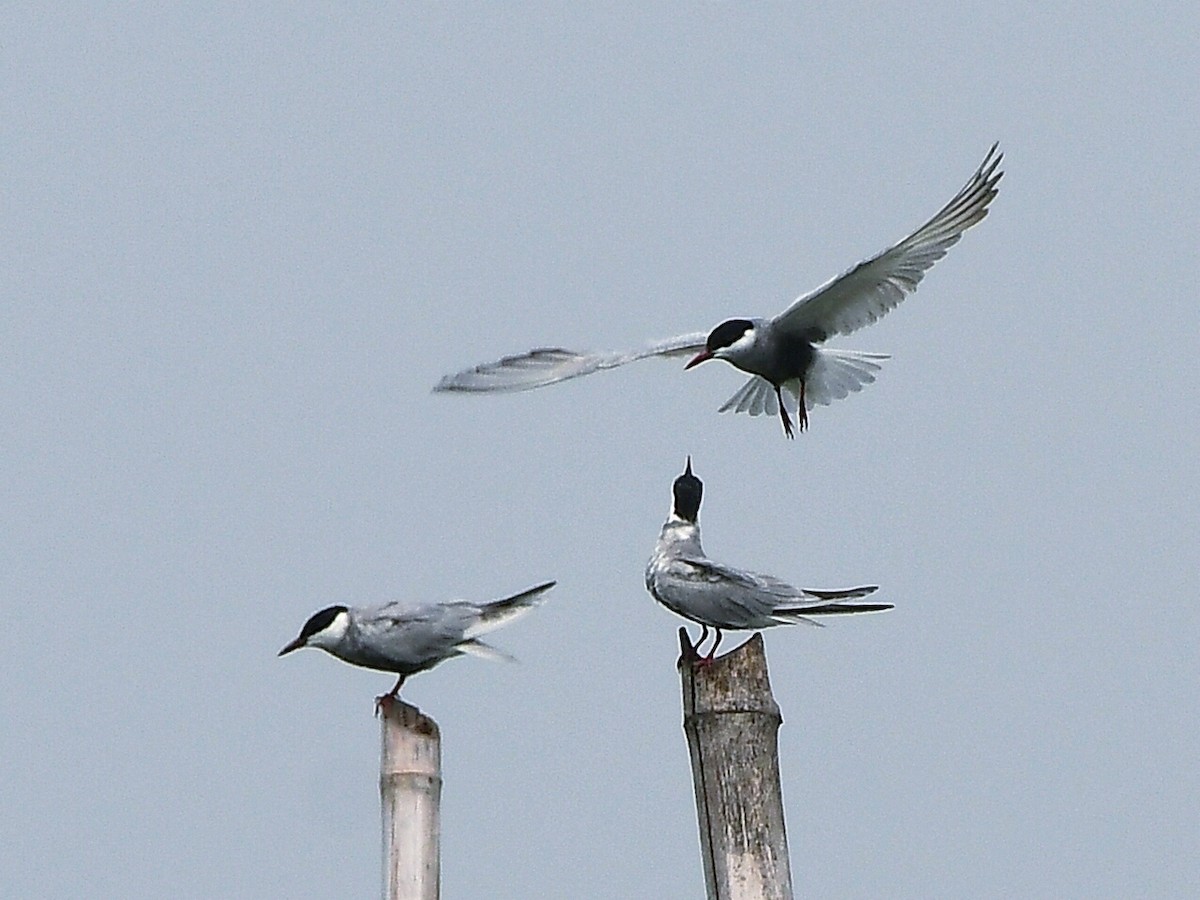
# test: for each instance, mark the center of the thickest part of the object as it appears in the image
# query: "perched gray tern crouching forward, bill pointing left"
(412, 638)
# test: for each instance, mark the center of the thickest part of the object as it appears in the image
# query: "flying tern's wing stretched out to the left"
(550, 365)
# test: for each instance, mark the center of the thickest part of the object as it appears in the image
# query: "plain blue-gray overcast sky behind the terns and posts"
(243, 243)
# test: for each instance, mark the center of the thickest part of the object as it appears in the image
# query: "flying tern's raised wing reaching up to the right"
(861, 296)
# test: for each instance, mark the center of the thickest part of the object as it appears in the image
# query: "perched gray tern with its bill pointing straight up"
(689, 584)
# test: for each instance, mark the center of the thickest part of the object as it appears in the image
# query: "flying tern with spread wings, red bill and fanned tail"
(790, 371)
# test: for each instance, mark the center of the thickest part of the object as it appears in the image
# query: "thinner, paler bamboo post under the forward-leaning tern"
(411, 794)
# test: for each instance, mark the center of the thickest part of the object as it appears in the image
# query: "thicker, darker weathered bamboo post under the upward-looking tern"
(733, 722)
